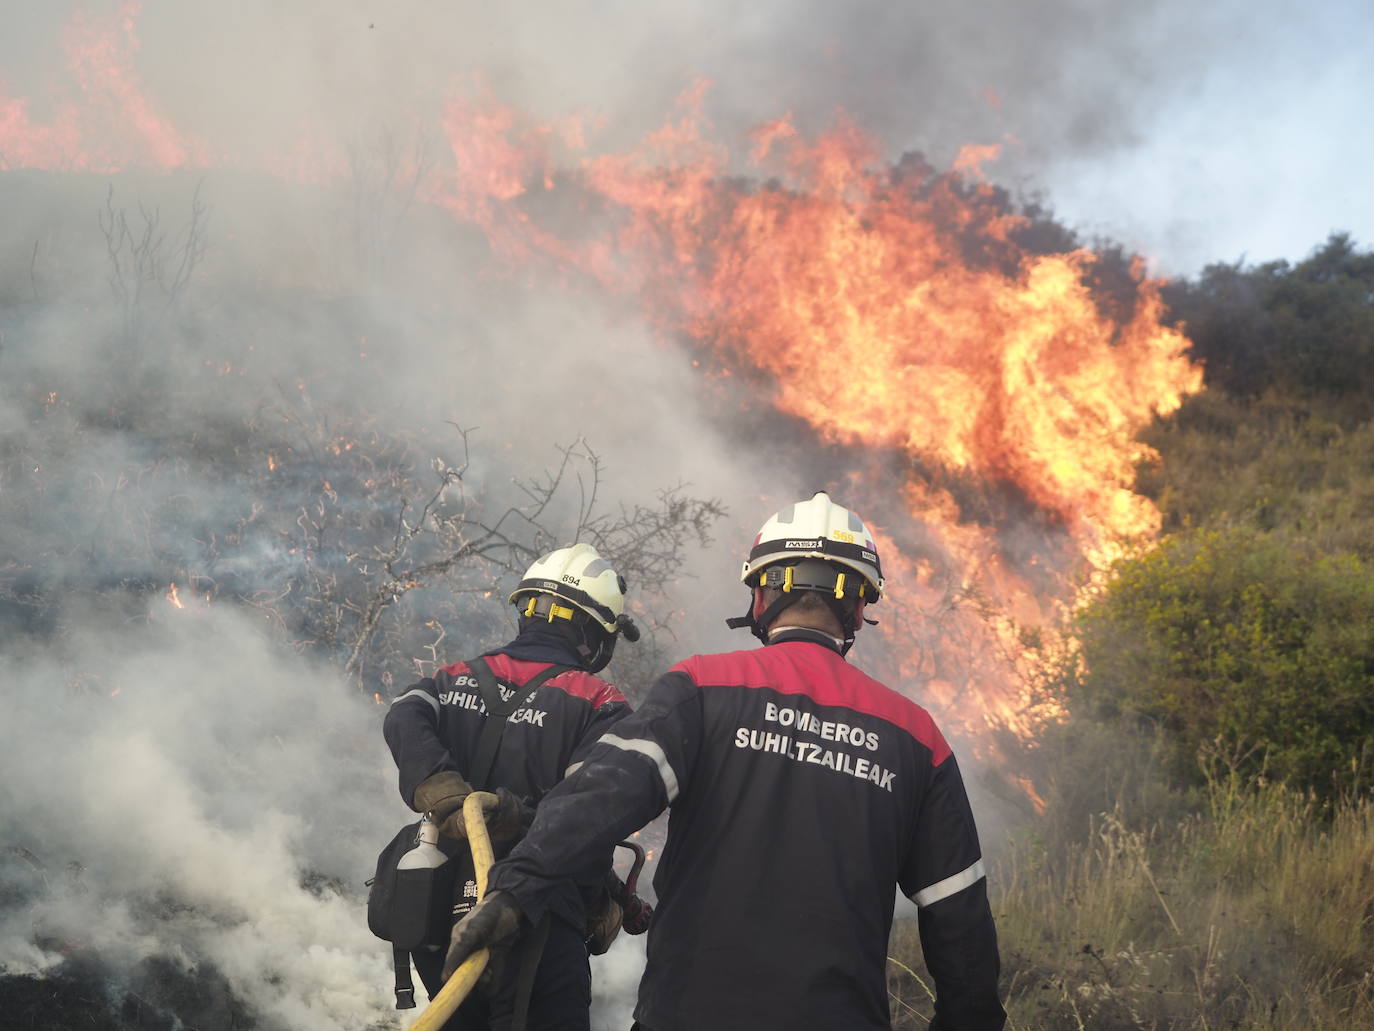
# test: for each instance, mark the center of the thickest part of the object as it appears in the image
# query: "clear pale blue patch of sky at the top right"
(1258, 152)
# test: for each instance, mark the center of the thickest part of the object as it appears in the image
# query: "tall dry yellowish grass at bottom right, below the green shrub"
(1255, 911)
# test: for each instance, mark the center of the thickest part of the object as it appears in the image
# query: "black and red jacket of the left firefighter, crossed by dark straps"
(436, 724)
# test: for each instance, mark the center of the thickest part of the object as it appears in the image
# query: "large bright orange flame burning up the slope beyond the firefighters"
(891, 309)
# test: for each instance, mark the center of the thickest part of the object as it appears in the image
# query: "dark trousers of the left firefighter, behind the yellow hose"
(563, 993)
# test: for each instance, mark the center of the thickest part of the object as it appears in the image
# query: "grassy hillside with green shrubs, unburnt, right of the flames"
(1207, 854)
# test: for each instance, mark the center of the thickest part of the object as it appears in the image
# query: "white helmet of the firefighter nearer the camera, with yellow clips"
(817, 529)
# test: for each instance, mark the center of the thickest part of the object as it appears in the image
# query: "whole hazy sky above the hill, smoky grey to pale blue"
(1192, 131)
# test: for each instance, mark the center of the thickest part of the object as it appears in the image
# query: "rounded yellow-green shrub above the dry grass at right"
(1244, 643)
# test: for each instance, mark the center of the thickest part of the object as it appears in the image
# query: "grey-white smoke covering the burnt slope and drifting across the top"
(194, 467)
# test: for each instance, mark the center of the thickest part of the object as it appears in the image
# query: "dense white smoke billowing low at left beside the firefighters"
(192, 795)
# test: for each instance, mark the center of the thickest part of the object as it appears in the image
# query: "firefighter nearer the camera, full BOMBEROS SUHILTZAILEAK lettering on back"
(803, 794)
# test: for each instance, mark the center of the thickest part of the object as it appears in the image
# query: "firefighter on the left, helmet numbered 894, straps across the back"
(571, 606)
